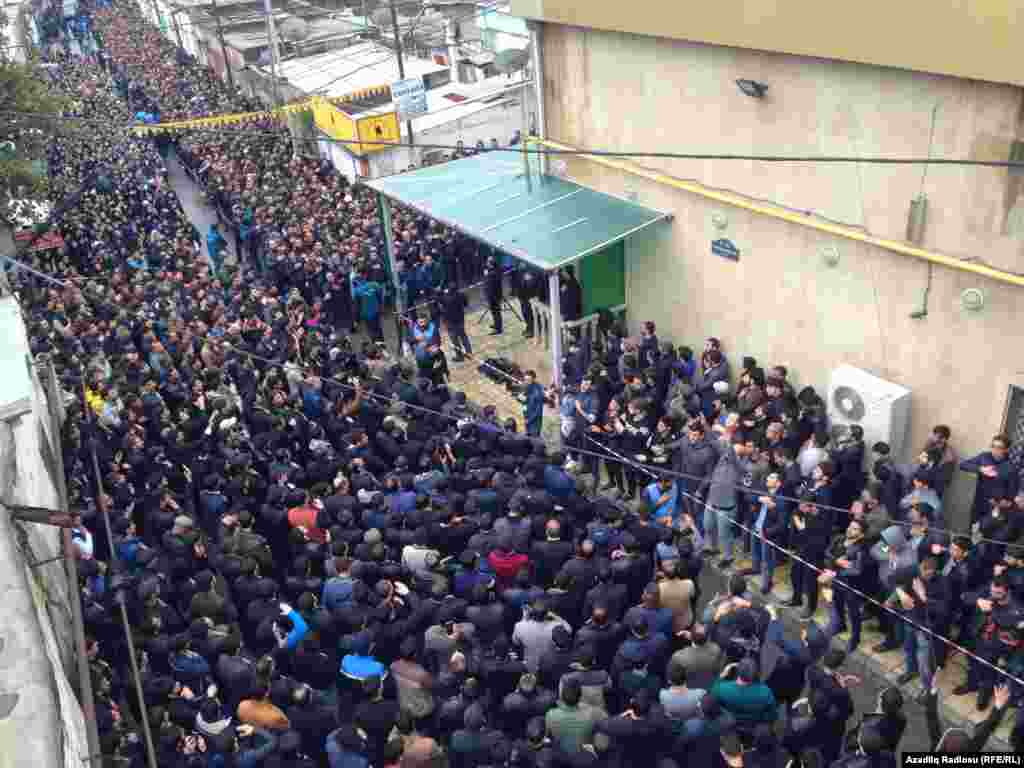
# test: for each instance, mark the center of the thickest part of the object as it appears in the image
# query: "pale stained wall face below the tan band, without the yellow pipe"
(781, 303)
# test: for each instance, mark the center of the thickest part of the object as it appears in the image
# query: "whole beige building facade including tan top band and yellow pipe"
(833, 258)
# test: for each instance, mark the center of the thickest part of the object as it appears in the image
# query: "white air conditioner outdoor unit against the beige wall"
(881, 408)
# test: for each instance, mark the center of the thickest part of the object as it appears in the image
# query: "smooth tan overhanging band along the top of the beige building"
(979, 39)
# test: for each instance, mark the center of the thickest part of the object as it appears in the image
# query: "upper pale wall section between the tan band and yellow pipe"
(614, 91)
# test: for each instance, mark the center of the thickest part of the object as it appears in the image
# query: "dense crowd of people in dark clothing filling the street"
(329, 558)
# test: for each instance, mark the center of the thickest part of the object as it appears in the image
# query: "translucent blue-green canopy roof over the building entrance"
(546, 222)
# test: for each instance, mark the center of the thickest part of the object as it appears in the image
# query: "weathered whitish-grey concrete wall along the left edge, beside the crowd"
(41, 722)
